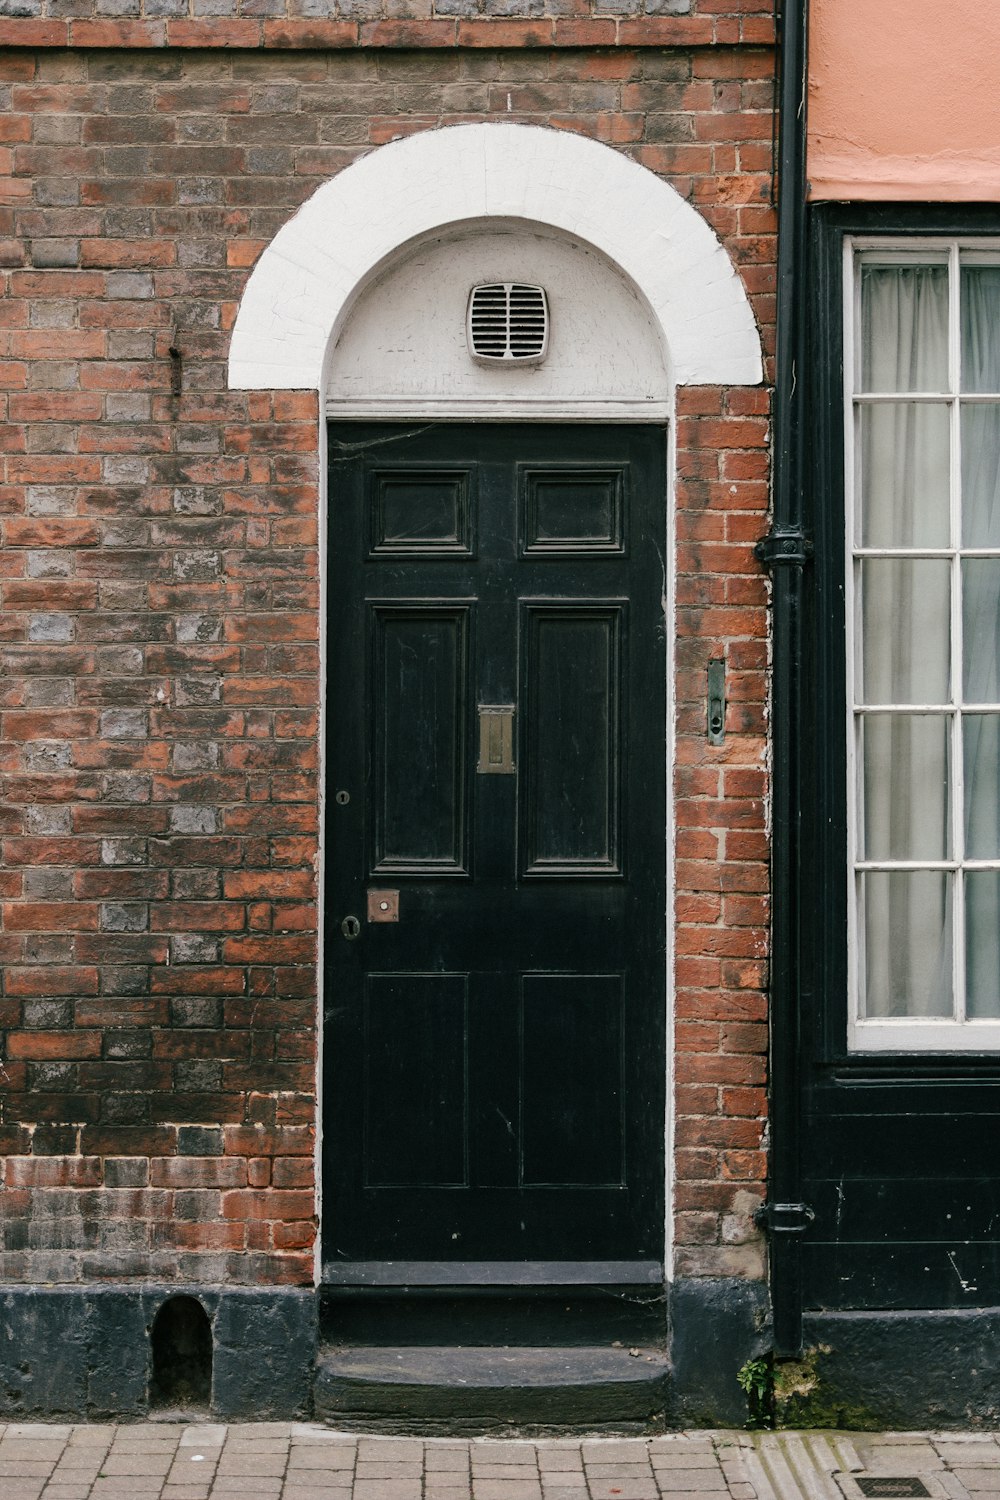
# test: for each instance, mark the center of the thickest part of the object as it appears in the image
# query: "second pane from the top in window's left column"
(905, 476)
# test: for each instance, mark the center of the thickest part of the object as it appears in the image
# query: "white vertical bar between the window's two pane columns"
(959, 767)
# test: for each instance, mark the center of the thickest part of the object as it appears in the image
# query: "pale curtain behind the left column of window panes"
(905, 613)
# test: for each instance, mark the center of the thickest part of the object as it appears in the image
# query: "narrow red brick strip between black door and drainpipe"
(722, 832)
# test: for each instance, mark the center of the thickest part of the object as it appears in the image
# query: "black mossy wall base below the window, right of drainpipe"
(870, 1372)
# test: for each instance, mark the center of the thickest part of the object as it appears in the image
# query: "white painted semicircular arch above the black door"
(308, 280)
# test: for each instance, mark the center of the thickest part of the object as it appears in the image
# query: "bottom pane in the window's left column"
(908, 943)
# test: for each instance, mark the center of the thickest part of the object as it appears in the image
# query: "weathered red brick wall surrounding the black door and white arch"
(160, 691)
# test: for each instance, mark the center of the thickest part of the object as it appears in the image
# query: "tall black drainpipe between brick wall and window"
(786, 551)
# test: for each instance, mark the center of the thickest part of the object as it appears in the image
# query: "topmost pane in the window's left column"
(905, 328)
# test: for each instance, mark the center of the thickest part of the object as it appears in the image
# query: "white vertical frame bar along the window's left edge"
(855, 925)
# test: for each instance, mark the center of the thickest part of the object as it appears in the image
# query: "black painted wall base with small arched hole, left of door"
(85, 1352)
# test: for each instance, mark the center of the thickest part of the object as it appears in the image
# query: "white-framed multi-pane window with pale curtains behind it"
(924, 610)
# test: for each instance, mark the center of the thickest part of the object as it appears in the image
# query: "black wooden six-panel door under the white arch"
(496, 1055)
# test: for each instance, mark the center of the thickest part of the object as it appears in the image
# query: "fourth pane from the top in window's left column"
(905, 797)
